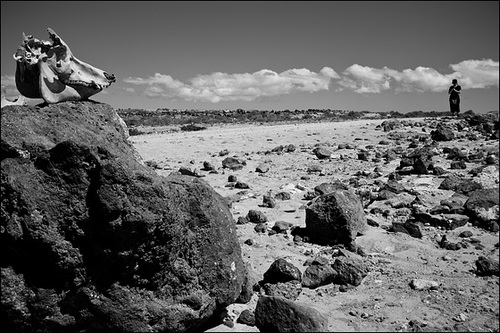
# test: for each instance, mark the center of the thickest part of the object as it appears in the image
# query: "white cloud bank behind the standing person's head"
(470, 73)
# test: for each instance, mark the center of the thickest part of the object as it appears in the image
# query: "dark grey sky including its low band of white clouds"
(354, 55)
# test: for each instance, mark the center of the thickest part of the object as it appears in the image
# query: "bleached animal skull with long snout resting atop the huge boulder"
(49, 70)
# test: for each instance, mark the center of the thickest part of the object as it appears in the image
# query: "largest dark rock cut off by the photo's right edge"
(482, 206)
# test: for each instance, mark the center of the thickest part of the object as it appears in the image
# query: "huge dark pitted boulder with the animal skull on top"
(93, 240)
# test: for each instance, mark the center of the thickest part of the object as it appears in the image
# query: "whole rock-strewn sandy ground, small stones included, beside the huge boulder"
(366, 156)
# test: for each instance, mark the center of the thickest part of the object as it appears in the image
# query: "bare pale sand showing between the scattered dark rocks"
(384, 301)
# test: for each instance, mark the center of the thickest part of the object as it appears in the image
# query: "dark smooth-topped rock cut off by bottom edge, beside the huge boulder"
(277, 314)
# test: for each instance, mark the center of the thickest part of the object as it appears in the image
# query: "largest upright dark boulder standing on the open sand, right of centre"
(335, 218)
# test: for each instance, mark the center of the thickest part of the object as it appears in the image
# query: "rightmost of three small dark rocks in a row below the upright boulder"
(350, 270)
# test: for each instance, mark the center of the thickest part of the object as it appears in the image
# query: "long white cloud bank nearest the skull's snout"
(218, 86)
